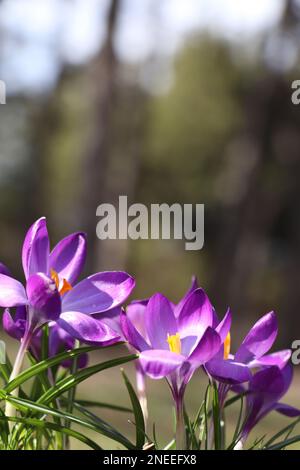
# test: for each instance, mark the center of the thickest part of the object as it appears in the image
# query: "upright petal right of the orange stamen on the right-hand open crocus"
(259, 339)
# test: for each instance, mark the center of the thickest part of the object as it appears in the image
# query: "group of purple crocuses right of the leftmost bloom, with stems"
(175, 340)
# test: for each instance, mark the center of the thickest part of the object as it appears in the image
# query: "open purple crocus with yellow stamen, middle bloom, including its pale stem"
(174, 342)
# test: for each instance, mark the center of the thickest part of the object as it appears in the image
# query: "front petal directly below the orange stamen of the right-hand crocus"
(228, 371)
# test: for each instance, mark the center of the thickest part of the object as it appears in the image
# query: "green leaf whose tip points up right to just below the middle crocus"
(71, 380)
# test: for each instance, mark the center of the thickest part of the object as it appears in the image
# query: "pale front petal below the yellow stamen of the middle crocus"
(160, 363)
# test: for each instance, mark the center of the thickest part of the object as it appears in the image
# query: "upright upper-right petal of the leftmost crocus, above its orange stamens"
(68, 257)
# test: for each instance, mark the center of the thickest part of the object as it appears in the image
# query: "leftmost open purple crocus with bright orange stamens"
(52, 294)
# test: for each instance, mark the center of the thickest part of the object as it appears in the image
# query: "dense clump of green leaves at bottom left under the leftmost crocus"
(39, 423)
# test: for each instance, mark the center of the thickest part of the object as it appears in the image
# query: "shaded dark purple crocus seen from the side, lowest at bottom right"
(264, 392)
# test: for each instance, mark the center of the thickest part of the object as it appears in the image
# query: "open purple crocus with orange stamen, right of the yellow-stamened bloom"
(232, 369)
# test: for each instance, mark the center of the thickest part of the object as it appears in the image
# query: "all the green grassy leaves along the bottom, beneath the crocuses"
(45, 420)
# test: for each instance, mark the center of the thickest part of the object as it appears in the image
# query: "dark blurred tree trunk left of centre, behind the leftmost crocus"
(95, 162)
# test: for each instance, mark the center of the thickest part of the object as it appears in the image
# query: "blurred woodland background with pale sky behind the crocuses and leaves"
(163, 101)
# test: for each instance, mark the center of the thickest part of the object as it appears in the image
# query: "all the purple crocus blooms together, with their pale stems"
(173, 340)
